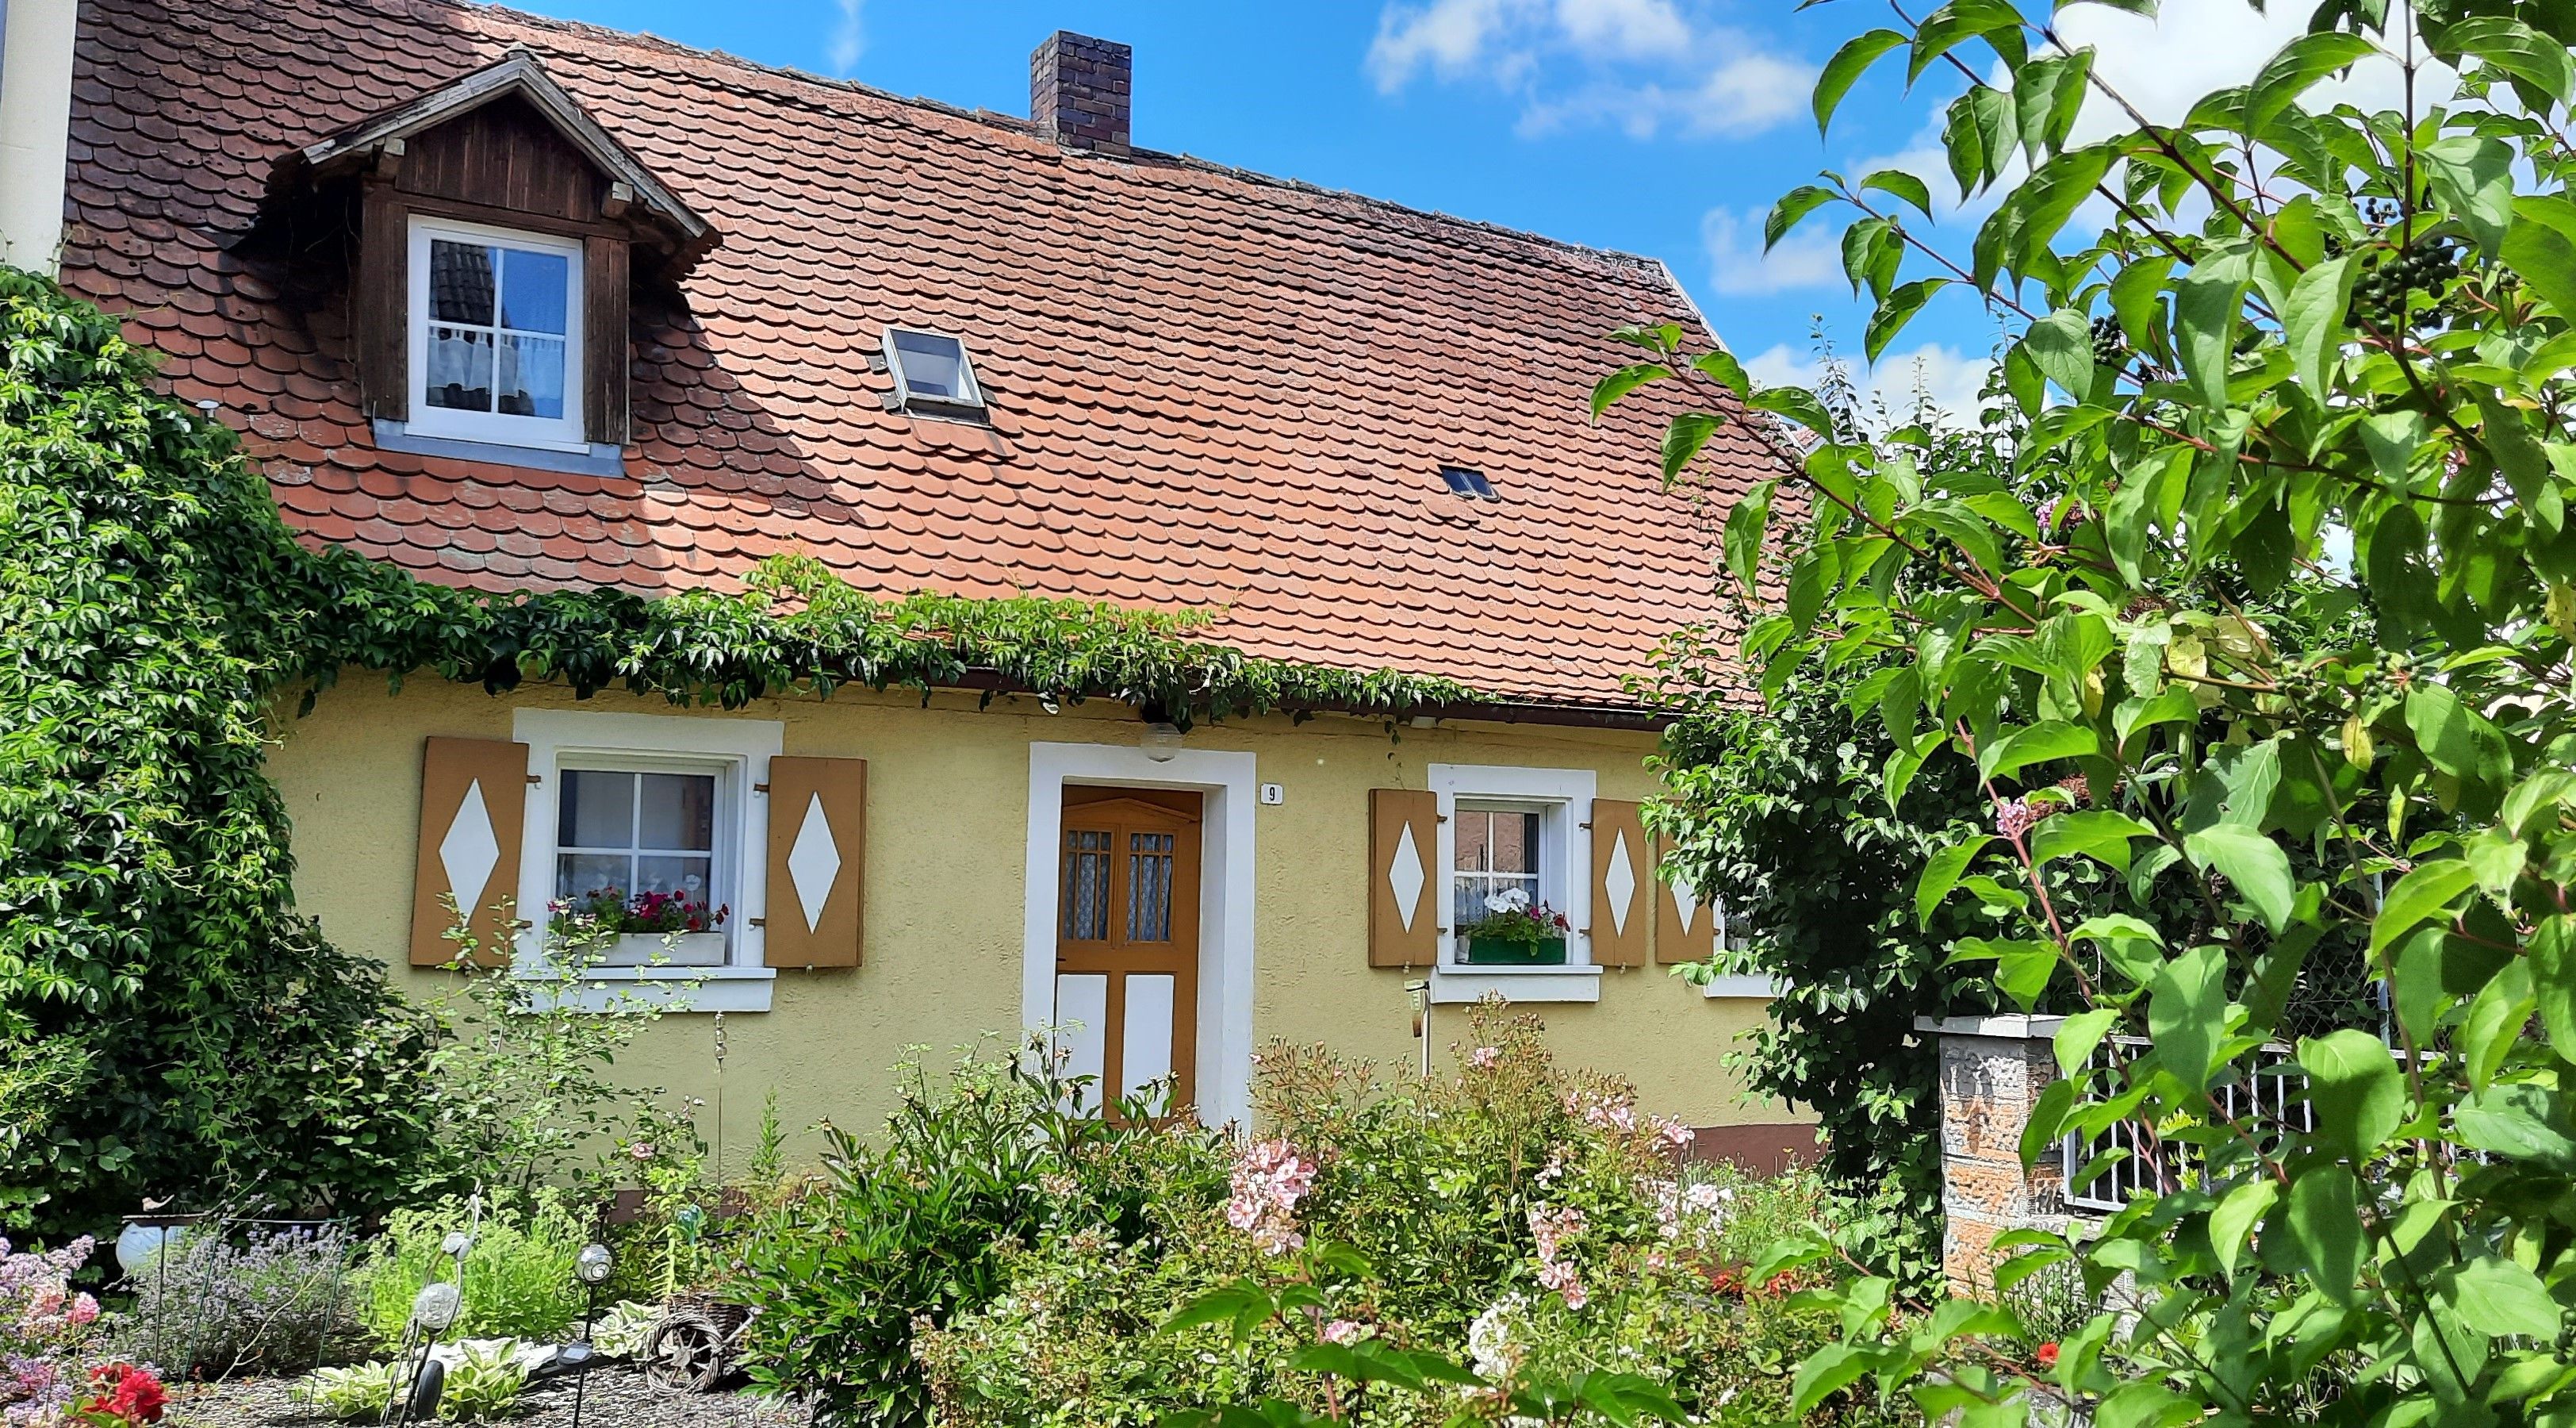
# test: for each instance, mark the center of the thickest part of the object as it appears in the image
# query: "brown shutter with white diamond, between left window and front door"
(818, 862)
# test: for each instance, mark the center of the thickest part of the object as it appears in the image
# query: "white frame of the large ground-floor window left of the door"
(741, 751)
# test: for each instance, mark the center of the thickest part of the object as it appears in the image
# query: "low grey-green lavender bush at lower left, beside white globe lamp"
(225, 1300)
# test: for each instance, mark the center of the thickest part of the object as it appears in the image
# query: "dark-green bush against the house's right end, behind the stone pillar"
(1781, 813)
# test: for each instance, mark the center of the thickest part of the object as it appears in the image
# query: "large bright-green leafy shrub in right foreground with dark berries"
(2304, 326)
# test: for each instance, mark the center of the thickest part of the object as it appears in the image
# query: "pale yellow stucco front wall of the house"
(947, 865)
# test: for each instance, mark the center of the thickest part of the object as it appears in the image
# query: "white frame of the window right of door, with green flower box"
(1565, 816)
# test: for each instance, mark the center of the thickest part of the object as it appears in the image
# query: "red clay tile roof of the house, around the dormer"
(1207, 388)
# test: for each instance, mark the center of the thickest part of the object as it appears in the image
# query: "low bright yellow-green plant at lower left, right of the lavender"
(516, 1275)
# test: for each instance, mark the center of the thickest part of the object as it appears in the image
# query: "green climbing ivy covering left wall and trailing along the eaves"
(169, 1025)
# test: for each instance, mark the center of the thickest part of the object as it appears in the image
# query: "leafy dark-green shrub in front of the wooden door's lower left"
(913, 1231)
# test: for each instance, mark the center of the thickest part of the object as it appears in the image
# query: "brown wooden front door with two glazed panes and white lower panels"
(1127, 942)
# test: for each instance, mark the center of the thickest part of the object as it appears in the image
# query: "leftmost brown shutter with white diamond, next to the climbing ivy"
(473, 808)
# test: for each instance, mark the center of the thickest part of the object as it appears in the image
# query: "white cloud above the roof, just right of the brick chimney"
(1634, 66)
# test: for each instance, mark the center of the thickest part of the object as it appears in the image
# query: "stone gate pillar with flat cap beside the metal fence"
(1993, 1071)
